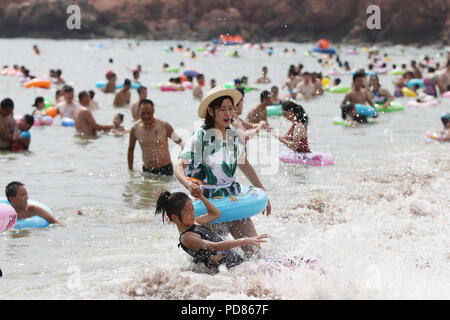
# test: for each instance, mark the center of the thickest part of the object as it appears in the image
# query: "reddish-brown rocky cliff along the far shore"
(402, 21)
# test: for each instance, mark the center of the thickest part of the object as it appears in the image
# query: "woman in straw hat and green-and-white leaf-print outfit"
(212, 156)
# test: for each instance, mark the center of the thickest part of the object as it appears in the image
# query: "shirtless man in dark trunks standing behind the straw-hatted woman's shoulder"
(152, 134)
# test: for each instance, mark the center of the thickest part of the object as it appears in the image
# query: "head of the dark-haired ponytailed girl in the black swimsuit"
(176, 206)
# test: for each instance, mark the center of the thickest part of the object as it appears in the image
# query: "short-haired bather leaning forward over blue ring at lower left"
(17, 195)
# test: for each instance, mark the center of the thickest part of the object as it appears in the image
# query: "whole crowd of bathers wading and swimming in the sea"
(221, 108)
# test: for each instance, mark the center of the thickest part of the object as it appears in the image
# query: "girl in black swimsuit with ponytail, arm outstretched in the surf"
(200, 242)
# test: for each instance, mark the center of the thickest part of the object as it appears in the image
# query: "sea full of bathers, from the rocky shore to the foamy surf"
(334, 198)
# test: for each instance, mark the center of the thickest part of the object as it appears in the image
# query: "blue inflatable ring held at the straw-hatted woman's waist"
(250, 201)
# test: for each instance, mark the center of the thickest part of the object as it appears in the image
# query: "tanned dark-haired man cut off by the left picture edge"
(8, 128)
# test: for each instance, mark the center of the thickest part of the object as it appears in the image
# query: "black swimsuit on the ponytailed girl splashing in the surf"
(230, 259)
